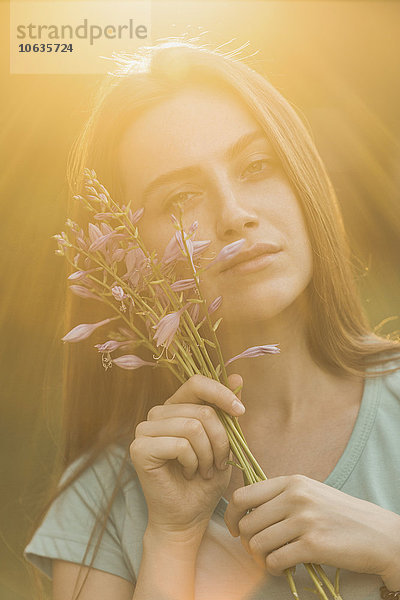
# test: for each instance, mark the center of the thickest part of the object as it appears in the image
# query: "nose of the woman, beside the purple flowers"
(234, 215)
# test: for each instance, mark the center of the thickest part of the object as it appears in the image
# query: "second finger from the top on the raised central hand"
(207, 416)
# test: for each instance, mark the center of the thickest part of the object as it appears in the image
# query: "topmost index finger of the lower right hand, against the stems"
(250, 497)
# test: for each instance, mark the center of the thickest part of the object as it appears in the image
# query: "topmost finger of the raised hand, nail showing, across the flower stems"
(200, 389)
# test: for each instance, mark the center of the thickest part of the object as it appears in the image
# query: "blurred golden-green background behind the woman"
(336, 61)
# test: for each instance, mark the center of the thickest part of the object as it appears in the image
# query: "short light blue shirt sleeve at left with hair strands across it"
(68, 525)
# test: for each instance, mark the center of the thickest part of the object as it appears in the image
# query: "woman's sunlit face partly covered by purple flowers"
(210, 153)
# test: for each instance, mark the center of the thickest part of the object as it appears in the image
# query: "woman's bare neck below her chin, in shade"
(288, 387)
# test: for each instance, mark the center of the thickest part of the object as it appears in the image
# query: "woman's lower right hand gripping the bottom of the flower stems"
(318, 523)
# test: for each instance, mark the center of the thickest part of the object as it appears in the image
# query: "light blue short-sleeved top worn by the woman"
(369, 468)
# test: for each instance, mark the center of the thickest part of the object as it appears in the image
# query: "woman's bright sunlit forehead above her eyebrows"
(196, 124)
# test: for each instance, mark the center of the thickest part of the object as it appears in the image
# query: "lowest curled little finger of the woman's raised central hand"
(146, 455)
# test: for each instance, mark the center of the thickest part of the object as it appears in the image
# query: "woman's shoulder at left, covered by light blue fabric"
(85, 522)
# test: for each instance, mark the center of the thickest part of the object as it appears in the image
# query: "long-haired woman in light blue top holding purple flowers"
(184, 123)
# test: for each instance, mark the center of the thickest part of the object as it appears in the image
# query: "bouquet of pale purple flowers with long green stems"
(156, 309)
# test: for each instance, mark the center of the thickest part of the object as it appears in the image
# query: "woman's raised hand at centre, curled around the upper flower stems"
(180, 456)
